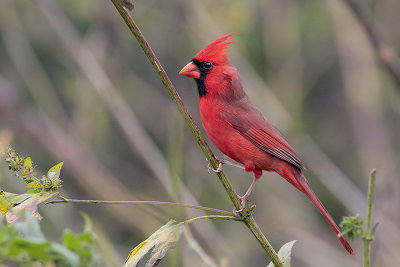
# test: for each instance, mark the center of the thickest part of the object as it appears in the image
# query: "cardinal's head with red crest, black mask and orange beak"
(210, 63)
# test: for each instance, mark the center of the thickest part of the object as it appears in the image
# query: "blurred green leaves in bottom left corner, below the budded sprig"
(24, 244)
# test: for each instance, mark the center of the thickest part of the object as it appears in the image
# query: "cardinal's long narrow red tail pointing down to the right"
(306, 189)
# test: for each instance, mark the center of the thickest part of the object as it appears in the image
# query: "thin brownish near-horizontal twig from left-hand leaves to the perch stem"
(146, 202)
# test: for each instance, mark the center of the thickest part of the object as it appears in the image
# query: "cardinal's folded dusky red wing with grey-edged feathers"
(267, 139)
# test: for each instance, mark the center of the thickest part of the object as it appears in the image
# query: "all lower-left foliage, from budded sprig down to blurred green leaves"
(22, 241)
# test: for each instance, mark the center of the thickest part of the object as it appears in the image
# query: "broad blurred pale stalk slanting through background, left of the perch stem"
(136, 136)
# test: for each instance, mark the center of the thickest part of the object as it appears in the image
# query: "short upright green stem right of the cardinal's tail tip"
(368, 234)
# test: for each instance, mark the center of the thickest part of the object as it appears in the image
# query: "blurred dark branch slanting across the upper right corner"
(385, 53)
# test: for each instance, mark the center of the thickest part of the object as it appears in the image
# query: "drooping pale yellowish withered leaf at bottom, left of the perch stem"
(162, 240)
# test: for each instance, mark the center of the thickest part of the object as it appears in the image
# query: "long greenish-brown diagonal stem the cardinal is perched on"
(247, 218)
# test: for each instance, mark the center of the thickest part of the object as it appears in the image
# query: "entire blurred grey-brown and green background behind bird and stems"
(76, 87)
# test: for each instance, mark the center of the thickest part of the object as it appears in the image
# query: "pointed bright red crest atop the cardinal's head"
(215, 51)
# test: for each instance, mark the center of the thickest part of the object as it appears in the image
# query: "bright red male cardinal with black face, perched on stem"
(239, 130)
